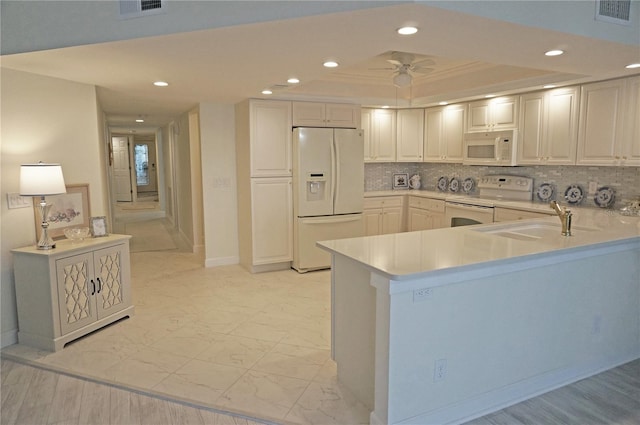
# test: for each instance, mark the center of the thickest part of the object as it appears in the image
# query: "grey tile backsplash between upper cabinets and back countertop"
(624, 180)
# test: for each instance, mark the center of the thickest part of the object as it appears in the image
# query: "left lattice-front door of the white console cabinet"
(76, 292)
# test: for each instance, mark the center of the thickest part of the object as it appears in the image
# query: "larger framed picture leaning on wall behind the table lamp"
(71, 209)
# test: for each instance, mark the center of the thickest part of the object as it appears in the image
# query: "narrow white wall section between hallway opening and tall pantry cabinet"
(217, 133)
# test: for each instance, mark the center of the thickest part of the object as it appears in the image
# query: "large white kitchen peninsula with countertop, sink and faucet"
(442, 326)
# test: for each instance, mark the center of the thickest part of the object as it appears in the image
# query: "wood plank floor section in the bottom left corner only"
(34, 396)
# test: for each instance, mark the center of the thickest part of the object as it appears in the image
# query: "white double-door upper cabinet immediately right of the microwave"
(549, 127)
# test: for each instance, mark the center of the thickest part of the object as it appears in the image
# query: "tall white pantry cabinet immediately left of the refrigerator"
(264, 176)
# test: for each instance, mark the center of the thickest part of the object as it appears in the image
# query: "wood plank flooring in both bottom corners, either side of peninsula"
(33, 396)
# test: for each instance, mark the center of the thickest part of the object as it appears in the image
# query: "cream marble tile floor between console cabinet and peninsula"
(253, 344)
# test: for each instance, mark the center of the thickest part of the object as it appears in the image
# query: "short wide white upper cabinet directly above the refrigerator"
(338, 115)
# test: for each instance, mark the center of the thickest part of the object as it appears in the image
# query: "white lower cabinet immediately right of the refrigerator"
(383, 215)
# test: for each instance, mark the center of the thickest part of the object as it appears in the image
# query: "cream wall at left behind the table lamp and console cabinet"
(50, 120)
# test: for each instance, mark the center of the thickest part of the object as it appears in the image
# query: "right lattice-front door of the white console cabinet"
(109, 277)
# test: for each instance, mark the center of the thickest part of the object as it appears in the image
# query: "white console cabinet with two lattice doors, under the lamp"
(71, 290)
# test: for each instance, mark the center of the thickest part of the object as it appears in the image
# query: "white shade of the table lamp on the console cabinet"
(41, 179)
